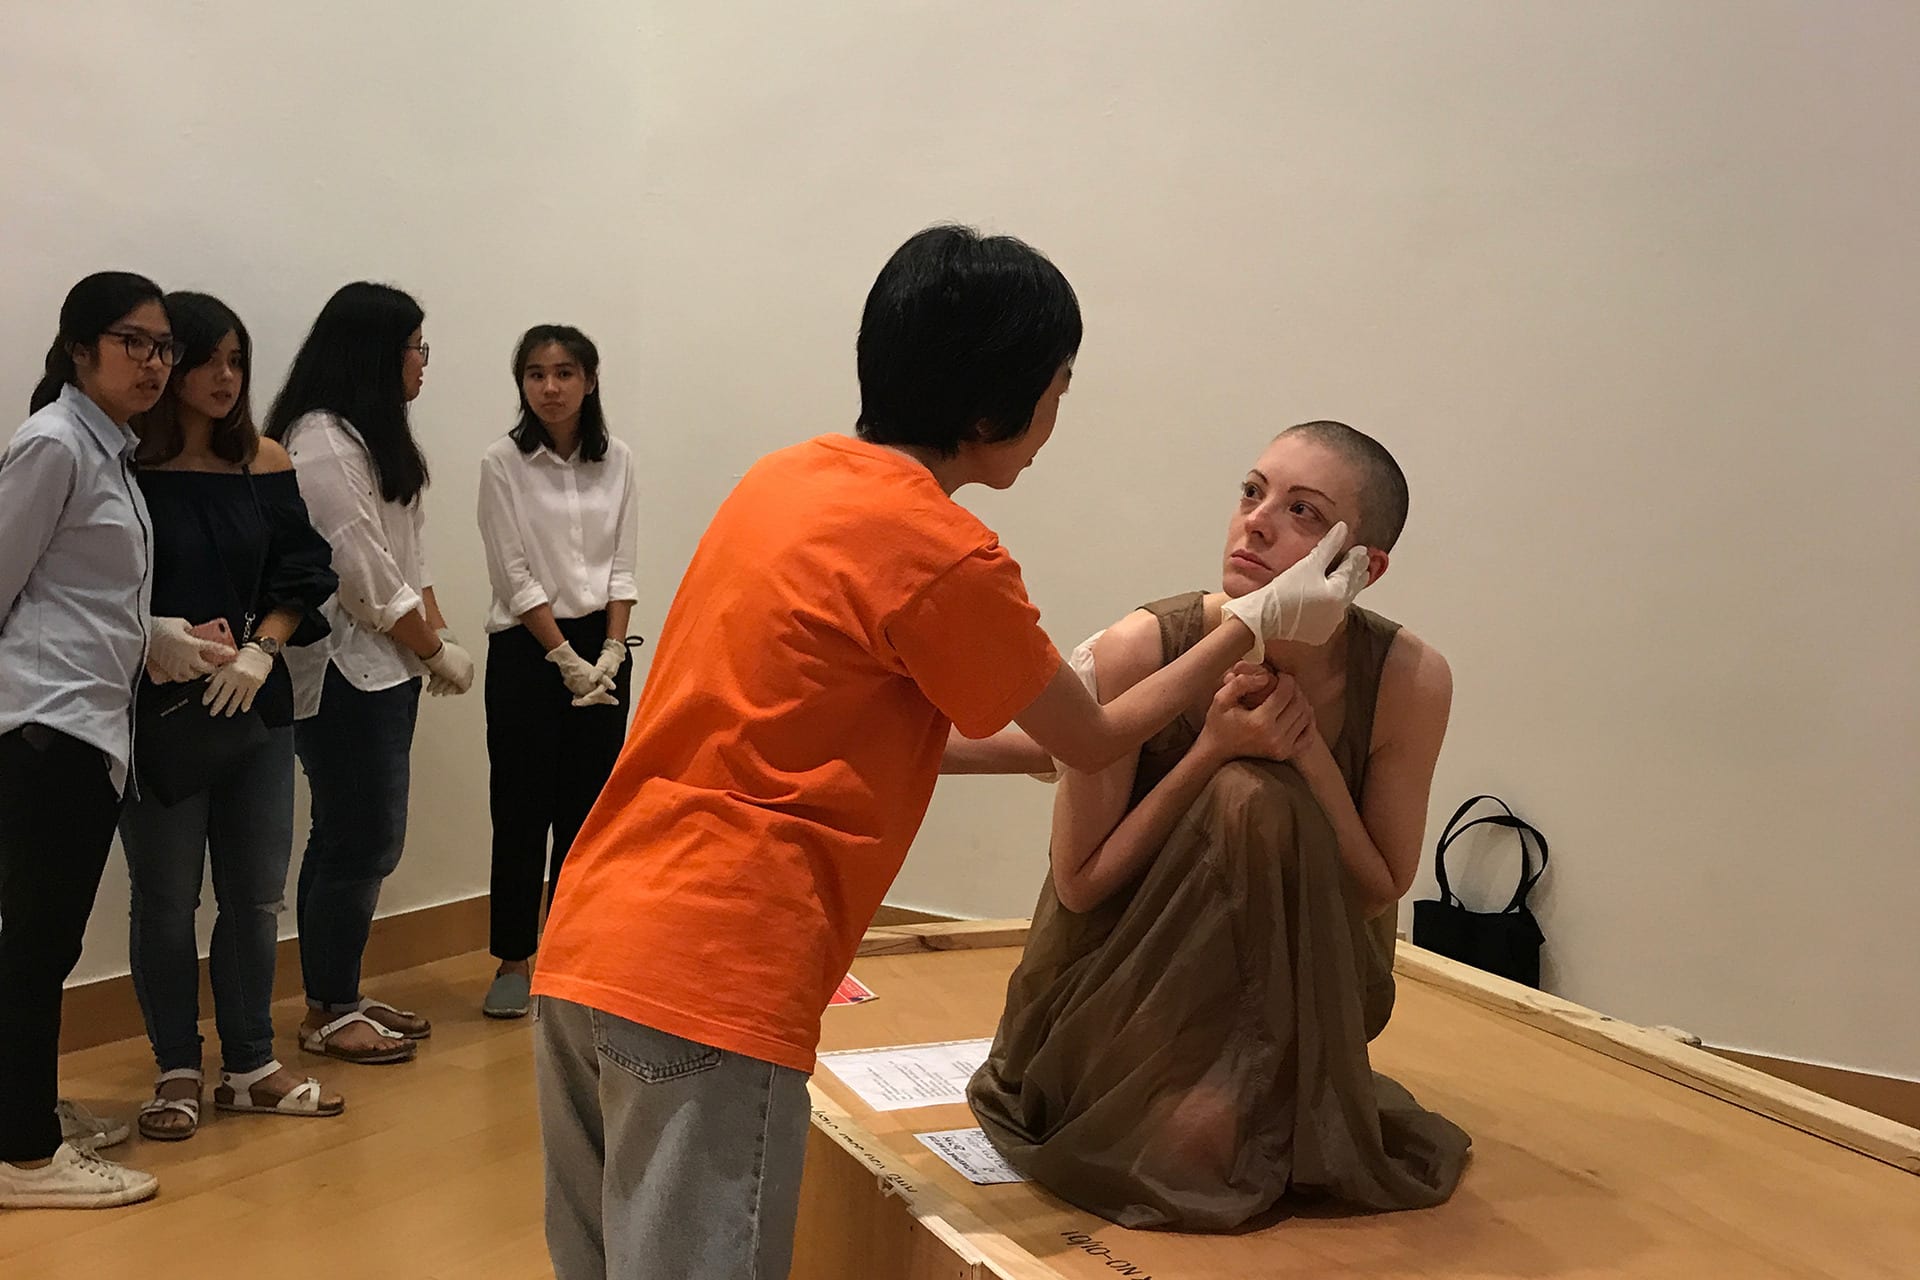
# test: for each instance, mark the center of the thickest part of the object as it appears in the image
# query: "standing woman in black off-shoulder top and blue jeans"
(231, 546)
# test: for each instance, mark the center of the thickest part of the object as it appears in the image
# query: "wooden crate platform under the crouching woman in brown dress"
(1600, 1150)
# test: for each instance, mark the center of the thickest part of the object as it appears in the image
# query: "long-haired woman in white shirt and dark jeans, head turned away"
(343, 417)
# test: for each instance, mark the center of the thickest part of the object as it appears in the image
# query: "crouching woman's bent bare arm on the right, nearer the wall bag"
(1381, 840)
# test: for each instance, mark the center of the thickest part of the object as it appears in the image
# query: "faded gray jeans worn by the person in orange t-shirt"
(667, 1160)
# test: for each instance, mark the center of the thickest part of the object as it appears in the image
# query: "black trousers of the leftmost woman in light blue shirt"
(57, 828)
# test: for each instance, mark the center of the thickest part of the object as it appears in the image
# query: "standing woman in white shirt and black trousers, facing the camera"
(558, 525)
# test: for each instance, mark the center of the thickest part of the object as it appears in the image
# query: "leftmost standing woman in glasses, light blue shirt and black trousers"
(76, 627)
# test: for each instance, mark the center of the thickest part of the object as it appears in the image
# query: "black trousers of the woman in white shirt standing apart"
(546, 767)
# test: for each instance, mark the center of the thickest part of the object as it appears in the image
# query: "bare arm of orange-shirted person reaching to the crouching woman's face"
(1070, 726)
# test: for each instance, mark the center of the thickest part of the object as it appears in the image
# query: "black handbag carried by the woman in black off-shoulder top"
(180, 746)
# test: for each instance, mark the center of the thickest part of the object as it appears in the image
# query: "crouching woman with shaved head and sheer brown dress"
(1186, 1039)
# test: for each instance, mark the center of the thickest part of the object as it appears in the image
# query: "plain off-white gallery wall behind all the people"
(1629, 289)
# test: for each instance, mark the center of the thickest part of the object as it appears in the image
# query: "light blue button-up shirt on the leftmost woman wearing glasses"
(76, 579)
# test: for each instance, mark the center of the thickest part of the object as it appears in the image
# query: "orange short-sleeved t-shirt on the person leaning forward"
(840, 613)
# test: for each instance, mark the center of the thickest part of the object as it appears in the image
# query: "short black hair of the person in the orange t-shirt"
(961, 339)
